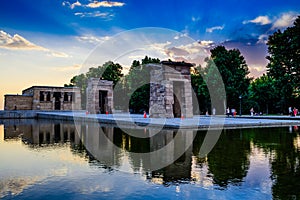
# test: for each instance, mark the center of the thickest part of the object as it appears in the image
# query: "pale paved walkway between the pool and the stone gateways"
(197, 122)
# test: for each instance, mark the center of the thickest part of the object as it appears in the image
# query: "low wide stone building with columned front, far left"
(44, 98)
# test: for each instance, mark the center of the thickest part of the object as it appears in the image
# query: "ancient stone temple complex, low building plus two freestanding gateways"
(170, 94)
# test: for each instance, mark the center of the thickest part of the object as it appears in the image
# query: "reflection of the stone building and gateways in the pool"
(107, 145)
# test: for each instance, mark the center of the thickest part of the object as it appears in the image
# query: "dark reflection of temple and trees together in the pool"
(232, 161)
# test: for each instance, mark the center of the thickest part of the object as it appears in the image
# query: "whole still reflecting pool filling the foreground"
(58, 160)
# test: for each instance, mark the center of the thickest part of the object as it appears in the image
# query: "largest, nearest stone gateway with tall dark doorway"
(170, 90)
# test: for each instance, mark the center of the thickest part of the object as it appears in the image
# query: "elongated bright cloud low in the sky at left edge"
(18, 42)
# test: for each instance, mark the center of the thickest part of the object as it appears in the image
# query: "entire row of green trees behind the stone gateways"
(271, 93)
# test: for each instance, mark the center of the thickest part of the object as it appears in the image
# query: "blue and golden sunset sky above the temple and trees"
(46, 42)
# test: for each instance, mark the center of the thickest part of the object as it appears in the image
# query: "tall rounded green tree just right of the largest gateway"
(234, 71)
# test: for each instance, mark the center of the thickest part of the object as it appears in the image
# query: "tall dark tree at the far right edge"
(284, 64)
